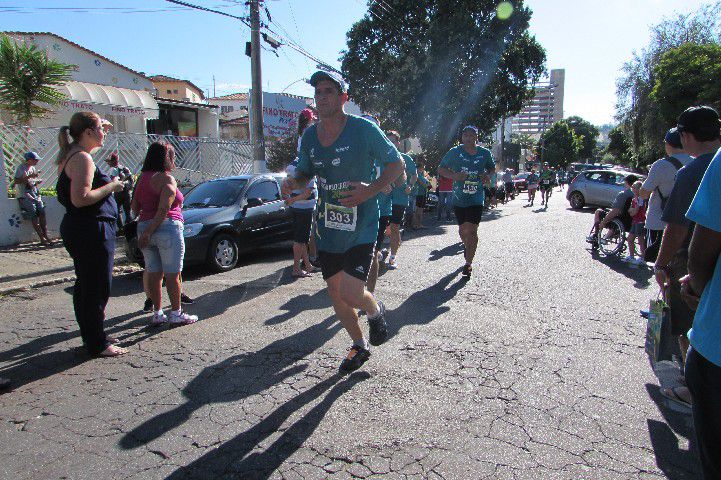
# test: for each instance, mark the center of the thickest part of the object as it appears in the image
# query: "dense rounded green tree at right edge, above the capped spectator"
(685, 76)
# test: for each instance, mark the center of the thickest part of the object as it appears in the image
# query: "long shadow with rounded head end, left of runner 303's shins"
(236, 378)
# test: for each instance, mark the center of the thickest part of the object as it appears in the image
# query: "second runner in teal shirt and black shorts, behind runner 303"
(469, 166)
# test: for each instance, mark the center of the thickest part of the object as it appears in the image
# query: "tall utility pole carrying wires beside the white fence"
(256, 117)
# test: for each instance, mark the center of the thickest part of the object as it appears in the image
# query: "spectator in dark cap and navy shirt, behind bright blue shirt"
(699, 131)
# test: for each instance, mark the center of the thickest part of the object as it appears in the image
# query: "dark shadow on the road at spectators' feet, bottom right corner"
(675, 463)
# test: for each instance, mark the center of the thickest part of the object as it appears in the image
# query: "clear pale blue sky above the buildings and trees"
(589, 38)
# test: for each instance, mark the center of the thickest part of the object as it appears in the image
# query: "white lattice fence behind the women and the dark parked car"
(197, 159)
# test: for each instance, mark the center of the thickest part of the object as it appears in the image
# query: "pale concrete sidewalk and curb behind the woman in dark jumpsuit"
(32, 265)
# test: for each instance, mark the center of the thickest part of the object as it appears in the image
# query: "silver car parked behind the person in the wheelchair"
(597, 187)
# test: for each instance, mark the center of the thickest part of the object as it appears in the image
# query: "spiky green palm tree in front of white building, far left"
(27, 78)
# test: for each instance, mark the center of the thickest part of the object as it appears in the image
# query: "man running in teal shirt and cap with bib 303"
(342, 151)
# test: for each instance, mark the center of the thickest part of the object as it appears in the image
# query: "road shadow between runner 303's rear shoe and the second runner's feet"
(426, 305)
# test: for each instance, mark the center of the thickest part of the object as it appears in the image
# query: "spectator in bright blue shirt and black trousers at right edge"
(703, 361)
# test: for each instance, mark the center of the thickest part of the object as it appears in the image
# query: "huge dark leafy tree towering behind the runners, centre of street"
(428, 67)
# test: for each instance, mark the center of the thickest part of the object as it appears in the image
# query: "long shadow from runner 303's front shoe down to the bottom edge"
(232, 459)
